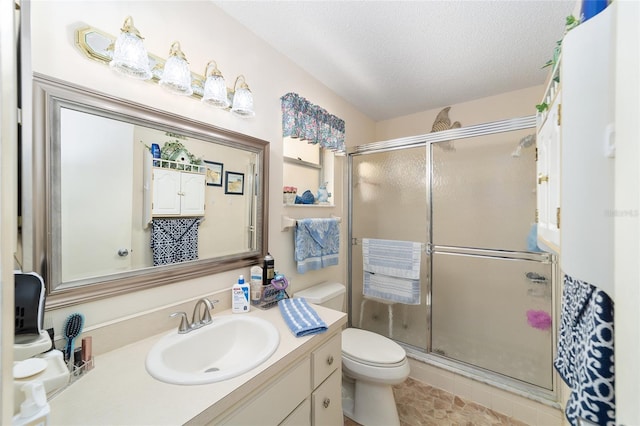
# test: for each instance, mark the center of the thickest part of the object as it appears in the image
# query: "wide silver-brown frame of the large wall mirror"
(48, 95)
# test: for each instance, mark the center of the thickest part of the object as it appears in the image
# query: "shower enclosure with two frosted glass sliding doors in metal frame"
(486, 293)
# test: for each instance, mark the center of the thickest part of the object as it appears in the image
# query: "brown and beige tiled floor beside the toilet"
(422, 405)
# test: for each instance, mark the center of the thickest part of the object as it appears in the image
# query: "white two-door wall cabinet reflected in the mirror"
(177, 193)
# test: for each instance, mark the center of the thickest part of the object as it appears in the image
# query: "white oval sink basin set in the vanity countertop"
(231, 345)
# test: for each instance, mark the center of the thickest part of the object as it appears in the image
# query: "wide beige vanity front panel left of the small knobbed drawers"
(275, 402)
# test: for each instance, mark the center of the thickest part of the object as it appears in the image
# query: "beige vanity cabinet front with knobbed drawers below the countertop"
(309, 393)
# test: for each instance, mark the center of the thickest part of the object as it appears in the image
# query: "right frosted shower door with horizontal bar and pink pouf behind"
(491, 291)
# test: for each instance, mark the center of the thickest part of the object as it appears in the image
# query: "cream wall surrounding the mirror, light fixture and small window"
(205, 33)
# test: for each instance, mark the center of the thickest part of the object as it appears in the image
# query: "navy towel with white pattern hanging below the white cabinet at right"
(585, 358)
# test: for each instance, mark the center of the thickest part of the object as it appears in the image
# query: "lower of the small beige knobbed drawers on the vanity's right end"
(326, 402)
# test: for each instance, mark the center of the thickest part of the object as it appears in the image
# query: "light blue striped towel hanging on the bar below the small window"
(317, 243)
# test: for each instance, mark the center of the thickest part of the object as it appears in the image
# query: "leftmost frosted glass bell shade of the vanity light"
(130, 56)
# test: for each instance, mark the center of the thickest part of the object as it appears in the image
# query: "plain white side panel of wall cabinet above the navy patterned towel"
(588, 88)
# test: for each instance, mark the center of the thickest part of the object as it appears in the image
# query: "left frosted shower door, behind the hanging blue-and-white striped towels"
(389, 202)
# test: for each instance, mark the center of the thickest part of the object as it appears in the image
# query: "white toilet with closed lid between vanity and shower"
(371, 364)
